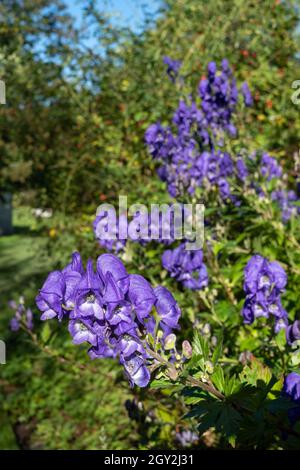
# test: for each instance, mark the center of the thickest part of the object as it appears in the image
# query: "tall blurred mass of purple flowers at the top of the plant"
(189, 158)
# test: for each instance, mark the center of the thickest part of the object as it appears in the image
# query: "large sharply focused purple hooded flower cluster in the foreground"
(109, 309)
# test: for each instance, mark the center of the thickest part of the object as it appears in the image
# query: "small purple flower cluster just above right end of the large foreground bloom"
(186, 266)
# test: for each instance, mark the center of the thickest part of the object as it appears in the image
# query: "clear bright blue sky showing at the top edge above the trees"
(124, 12)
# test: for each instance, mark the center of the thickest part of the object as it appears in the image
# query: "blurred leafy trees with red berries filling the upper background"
(79, 99)
